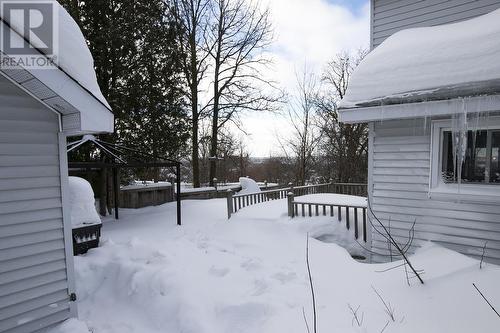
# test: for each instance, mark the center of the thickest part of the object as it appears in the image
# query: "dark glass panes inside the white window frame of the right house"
(480, 157)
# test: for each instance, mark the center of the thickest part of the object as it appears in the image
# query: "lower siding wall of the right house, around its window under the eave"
(400, 186)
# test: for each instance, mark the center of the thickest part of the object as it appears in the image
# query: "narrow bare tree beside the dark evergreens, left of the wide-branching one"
(192, 18)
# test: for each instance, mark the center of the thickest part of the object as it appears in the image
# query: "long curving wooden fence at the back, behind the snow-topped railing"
(236, 202)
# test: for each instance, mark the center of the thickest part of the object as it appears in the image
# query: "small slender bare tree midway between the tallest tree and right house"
(301, 114)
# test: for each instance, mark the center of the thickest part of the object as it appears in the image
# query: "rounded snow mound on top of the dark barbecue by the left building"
(81, 199)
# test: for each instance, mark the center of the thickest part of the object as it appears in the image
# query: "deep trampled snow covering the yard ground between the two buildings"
(249, 275)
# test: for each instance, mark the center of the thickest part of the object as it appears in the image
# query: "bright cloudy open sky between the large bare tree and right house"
(306, 31)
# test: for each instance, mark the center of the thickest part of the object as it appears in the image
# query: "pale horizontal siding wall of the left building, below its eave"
(33, 270)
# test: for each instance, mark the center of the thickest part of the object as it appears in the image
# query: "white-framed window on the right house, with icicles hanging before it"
(476, 163)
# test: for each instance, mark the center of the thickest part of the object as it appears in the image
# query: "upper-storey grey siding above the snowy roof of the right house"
(390, 16)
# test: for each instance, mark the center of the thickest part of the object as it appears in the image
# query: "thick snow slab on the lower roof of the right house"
(432, 63)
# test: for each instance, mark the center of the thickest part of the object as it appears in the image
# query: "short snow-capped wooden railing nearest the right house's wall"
(305, 208)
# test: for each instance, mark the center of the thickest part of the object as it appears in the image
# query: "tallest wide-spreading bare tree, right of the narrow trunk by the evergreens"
(239, 31)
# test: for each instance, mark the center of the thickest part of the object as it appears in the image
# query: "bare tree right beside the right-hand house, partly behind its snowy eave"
(344, 146)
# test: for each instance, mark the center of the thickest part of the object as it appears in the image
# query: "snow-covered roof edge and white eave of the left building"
(70, 85)
